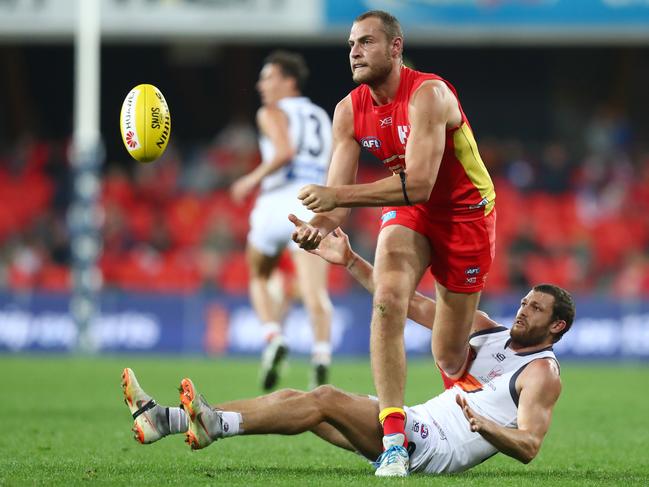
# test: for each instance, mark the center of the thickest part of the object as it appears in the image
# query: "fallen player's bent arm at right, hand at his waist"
(539, 387)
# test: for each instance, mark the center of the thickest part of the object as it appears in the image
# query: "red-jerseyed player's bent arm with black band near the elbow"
(432, 108)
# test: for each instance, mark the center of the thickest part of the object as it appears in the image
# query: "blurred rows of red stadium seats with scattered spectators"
(159, 237)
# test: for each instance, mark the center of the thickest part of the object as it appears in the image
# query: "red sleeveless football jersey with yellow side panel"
(463, 189)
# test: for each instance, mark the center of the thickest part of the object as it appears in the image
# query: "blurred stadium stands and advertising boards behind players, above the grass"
(555, 89)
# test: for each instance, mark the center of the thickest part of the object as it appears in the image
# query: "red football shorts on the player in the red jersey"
(461, 252)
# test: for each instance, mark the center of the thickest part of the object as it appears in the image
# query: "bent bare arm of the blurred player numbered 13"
(272, 122)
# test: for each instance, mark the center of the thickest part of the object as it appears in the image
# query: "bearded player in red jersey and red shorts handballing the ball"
(438, 206)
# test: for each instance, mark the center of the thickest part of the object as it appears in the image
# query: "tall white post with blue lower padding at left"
(87, 155)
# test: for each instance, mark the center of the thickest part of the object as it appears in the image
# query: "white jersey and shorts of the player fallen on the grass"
(489, 386)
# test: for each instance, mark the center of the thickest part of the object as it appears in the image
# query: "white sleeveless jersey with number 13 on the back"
(310, 135)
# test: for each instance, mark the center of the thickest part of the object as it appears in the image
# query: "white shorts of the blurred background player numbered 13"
(270, 229)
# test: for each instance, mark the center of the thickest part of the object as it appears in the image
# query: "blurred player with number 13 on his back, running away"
(295, 144)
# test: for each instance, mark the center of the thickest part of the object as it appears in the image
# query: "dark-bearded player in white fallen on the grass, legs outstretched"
(503, 401)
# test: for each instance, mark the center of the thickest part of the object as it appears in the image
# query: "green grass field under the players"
(64, 423)
